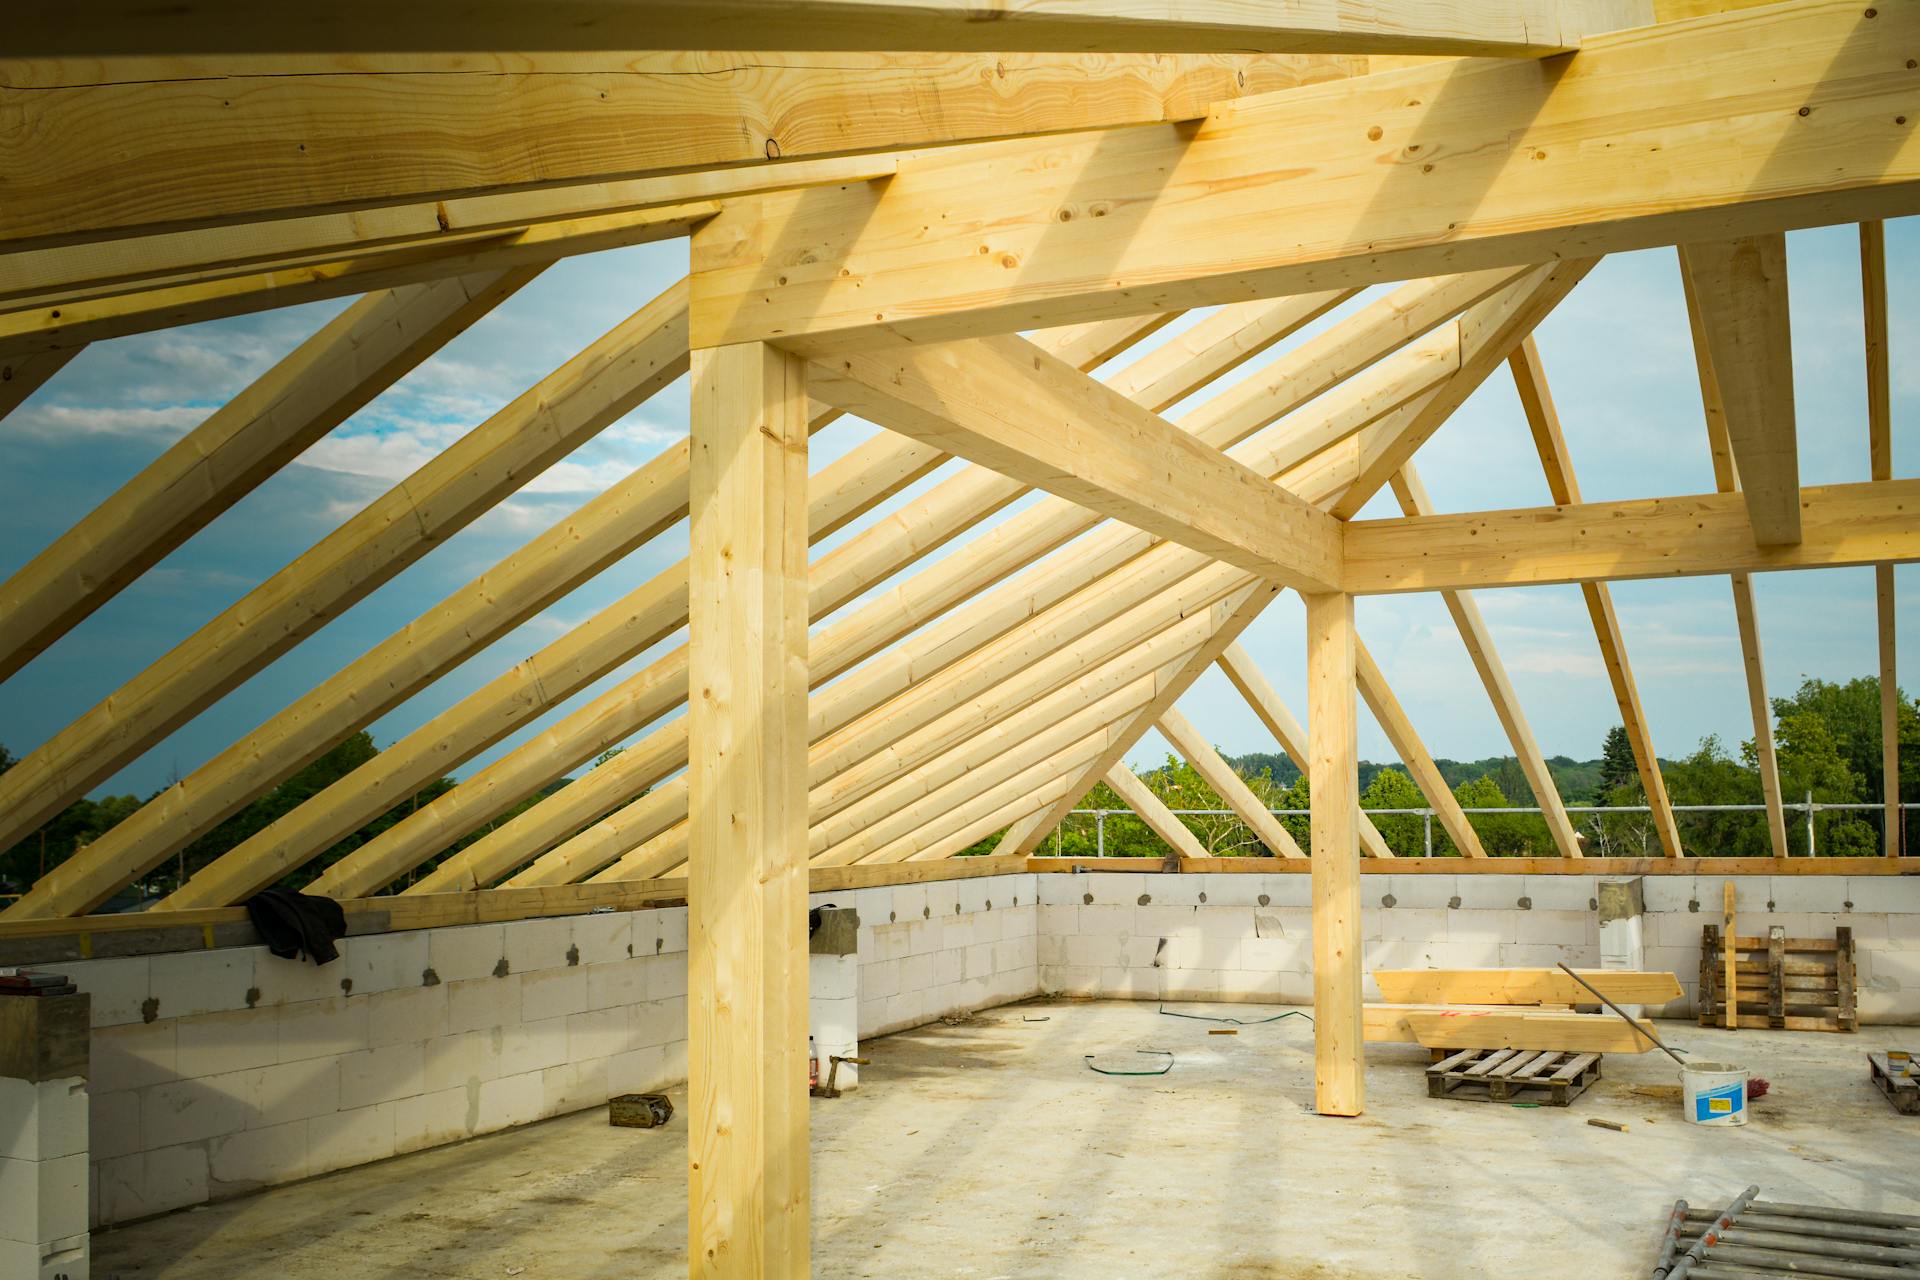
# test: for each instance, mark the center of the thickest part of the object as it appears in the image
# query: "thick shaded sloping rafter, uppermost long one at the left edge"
(316, 389)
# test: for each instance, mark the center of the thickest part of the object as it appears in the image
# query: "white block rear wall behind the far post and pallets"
(1249, 937)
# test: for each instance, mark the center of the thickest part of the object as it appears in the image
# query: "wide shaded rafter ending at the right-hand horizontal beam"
(1740, 291)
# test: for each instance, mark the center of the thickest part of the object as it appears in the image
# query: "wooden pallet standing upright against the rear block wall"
(1785, 984)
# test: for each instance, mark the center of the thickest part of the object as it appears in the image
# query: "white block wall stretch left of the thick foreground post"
(222, 1072)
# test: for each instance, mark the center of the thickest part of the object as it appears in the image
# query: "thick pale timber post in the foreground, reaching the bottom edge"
(748, 1177)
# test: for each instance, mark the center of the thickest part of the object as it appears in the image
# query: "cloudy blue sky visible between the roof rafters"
(1616, 352)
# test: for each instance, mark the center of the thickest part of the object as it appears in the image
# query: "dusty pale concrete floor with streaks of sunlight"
(990, 1150)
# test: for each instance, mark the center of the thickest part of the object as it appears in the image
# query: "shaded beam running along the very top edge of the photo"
(1499, 30)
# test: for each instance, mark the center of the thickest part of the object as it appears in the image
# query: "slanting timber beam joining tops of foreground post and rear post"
(1009, 406)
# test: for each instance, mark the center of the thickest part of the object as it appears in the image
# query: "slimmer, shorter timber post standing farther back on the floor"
(1333, 788)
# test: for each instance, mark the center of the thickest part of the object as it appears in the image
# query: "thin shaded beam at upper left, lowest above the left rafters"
(49, 325)
